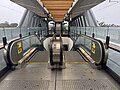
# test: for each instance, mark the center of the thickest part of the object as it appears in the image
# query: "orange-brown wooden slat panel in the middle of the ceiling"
(57, 8)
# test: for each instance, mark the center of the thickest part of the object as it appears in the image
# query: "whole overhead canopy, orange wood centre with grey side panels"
(58, 9)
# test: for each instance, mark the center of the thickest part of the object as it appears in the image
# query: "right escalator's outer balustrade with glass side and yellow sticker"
(92, 49)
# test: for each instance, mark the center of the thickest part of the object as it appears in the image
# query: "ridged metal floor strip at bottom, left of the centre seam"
(25, 85)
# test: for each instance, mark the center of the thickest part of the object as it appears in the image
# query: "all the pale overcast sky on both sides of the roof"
(107, 12)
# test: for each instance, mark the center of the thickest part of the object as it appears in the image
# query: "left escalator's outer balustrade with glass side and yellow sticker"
(17, 49)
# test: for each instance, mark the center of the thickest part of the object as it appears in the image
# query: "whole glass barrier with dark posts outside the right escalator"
(103, 34)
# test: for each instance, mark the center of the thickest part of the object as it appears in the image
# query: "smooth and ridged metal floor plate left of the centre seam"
(31, 77)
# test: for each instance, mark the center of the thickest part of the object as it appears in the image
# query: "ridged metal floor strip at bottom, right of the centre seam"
(85, 84)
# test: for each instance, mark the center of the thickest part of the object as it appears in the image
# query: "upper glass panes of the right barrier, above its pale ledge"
(99, 32)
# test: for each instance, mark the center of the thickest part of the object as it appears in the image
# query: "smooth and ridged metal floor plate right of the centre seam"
(84, 77)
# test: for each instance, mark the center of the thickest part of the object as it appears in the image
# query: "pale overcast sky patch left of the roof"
(10, 11)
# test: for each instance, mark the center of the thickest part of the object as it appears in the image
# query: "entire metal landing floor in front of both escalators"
(74, 77)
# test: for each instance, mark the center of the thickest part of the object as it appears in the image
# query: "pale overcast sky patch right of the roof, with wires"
(109, 12)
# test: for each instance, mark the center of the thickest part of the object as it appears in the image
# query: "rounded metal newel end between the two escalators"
(56, 53)
